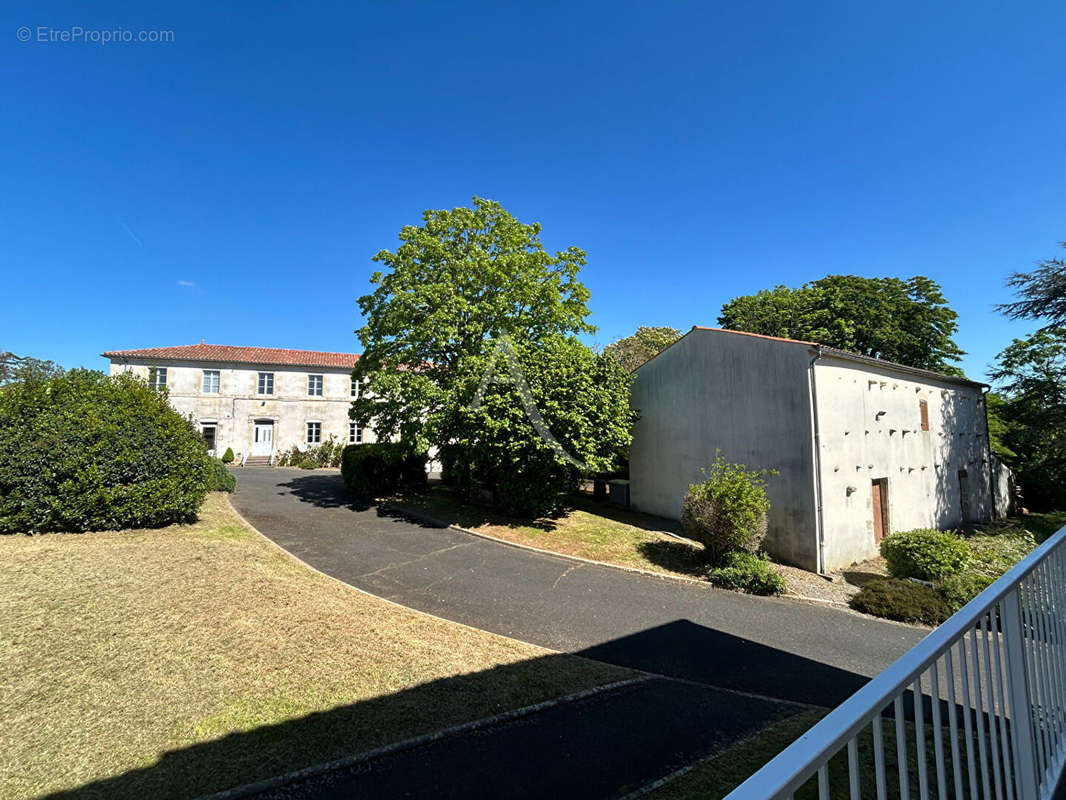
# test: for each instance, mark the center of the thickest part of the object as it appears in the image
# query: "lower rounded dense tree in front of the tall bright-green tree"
(584, 401)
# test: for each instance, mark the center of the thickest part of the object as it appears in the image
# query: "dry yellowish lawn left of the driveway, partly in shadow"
(179, 662)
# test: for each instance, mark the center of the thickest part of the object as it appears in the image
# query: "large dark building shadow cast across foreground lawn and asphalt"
(593, 748)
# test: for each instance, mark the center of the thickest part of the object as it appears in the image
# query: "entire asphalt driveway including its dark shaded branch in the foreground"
(725, 665)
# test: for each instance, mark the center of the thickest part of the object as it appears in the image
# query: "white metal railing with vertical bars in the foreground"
(976, 710)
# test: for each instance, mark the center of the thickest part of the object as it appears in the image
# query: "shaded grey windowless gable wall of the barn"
(746, 396)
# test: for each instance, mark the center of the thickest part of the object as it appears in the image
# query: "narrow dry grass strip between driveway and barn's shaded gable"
(588, 530)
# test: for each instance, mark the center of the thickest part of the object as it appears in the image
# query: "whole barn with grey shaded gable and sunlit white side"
(862, 447)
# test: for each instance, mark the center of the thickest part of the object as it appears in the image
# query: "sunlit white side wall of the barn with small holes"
(870, 428)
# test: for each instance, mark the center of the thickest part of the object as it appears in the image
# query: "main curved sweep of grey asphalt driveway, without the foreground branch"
(777, 648)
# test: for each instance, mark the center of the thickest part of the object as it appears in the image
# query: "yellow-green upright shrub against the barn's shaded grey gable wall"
(729, 511)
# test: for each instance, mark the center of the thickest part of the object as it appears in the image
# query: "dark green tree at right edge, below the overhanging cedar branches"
(1032, 375)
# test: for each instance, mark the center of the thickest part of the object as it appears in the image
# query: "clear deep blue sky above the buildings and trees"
(233, 185)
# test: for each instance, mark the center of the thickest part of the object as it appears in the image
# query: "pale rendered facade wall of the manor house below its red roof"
(238, 406)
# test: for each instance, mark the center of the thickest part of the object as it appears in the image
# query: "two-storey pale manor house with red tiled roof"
(257, 402)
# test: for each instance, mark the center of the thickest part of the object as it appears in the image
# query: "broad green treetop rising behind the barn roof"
(905, 322)
